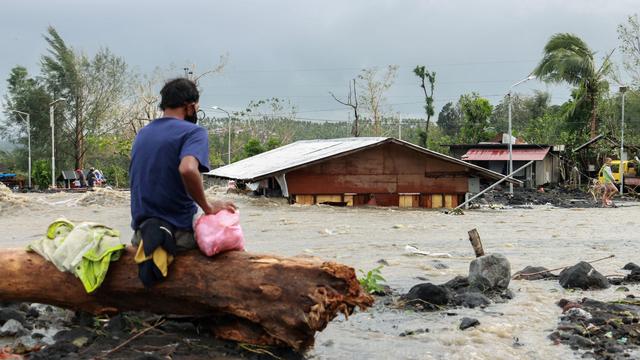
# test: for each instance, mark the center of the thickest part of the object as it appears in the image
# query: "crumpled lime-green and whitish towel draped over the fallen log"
(85, 250)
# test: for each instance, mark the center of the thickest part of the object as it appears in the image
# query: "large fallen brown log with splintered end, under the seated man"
(257, 299)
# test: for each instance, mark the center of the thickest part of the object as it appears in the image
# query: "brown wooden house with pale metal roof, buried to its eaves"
(358, 171)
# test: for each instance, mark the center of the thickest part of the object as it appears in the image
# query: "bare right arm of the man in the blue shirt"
(190, 174)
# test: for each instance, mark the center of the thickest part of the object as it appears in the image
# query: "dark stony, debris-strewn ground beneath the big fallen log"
(52, 333)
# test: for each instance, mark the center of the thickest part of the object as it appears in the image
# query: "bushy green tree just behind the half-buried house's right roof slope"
(476, 112)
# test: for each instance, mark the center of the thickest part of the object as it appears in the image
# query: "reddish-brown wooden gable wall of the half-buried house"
(386, 171)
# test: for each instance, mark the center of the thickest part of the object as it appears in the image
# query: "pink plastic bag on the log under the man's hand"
(219, 233)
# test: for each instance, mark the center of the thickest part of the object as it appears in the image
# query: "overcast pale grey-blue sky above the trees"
(301, 50)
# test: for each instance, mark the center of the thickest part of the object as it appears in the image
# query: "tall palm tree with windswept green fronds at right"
(568, 59)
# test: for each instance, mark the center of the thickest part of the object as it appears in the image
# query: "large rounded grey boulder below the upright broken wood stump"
(490, 273)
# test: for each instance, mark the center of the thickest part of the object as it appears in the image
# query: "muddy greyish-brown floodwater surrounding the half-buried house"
(360, 237)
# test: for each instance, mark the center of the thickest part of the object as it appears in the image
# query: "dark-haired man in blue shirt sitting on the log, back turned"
(167, 158)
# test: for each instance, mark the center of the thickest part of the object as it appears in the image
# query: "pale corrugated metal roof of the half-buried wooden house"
(306, 152)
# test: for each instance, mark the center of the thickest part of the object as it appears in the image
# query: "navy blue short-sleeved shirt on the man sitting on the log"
(157, 189)
